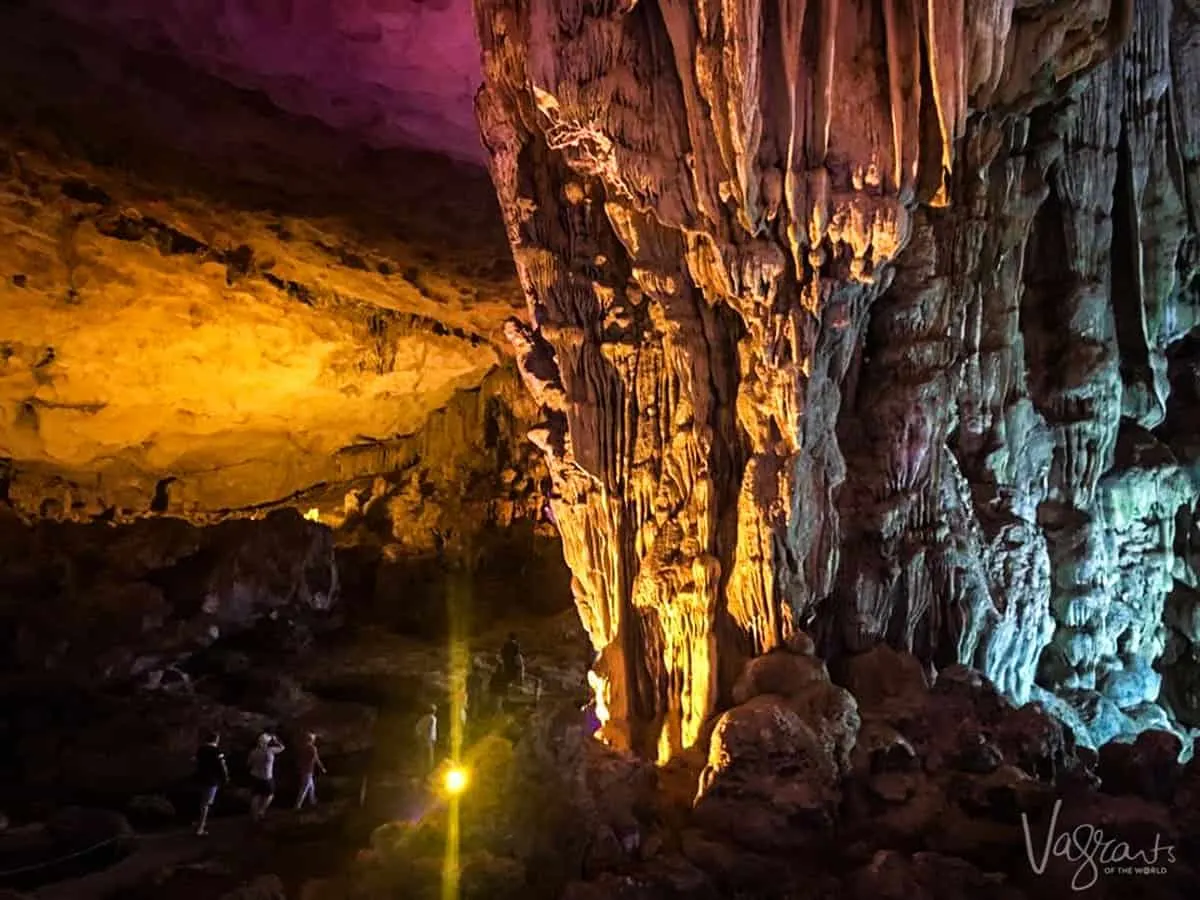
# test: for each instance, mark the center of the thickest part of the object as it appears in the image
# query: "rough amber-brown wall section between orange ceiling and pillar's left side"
(467, 495)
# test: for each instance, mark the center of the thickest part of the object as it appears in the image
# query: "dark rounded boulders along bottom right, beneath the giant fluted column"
(914, 790)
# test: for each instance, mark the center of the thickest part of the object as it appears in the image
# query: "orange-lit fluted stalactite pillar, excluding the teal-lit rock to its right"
(704, 201)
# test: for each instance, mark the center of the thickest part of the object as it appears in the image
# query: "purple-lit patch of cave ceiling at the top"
(395, 73)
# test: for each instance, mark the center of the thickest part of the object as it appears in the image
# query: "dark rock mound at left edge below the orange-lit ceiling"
(85, 602)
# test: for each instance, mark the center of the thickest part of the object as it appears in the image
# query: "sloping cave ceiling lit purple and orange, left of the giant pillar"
(245, 248)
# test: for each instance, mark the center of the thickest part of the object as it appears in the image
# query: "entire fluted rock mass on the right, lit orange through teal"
(871, 319)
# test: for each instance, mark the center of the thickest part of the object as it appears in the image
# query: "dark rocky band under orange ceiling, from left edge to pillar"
(101, 602)
